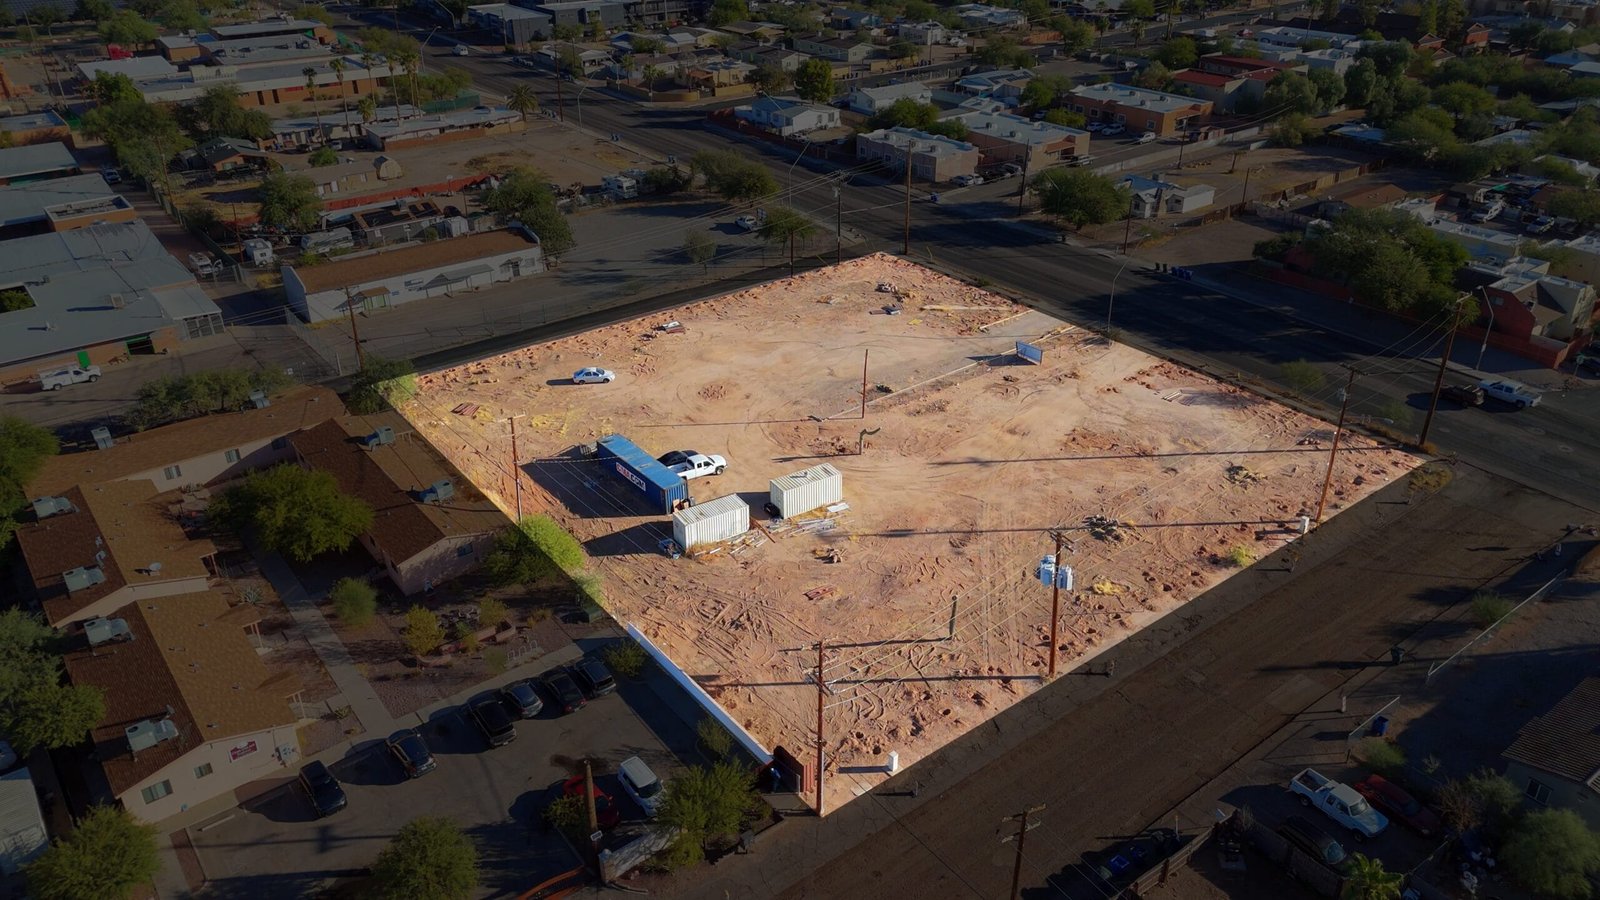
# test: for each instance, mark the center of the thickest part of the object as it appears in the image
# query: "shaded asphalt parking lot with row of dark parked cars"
(274, 845)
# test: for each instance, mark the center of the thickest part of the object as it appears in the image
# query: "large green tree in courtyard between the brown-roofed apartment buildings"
(300, 513)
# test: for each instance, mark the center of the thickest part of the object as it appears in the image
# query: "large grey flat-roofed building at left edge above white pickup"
(98, 292)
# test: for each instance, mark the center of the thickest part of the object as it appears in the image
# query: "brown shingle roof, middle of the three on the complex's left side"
(121, 520)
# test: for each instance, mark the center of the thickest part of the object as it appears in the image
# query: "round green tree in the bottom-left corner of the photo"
(106, 858)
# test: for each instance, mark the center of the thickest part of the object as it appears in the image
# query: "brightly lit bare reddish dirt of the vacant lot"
(934, 614)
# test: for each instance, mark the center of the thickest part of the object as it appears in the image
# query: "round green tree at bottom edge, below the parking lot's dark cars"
(431, 859)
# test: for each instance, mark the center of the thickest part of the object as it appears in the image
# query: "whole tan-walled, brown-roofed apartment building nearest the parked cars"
(191, 710)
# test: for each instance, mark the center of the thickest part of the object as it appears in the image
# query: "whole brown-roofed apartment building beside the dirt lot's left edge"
(430, 523)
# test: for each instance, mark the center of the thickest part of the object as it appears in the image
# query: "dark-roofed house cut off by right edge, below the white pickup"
(1556, 758)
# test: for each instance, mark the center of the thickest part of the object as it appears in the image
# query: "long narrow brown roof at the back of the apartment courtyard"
(188, 440)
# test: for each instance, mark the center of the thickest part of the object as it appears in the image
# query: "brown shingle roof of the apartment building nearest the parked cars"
(188, 657)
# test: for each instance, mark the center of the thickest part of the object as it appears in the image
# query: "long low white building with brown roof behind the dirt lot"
(383, 279)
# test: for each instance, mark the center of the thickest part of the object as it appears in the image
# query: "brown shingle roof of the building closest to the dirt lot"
(388, 480)
